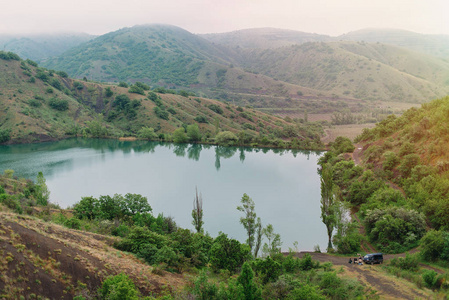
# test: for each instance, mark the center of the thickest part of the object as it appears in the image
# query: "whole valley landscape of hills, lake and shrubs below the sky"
(106, 138)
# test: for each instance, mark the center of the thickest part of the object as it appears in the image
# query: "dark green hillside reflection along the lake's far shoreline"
(29, 159)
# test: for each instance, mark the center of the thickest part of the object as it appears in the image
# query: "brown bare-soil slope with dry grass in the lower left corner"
(48, 260)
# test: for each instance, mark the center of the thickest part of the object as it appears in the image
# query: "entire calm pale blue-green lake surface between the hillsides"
(283, 184)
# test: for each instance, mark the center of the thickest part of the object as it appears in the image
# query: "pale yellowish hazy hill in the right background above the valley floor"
(354, 70)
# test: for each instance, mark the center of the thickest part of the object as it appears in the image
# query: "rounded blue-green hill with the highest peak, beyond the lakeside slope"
(168, 56)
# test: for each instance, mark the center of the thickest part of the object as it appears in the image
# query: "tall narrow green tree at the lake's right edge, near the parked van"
(327, 201)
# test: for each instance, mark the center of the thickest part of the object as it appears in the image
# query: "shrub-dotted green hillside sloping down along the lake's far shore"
(37, 104)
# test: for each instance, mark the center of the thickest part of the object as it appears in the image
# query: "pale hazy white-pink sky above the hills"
(332, 17)
